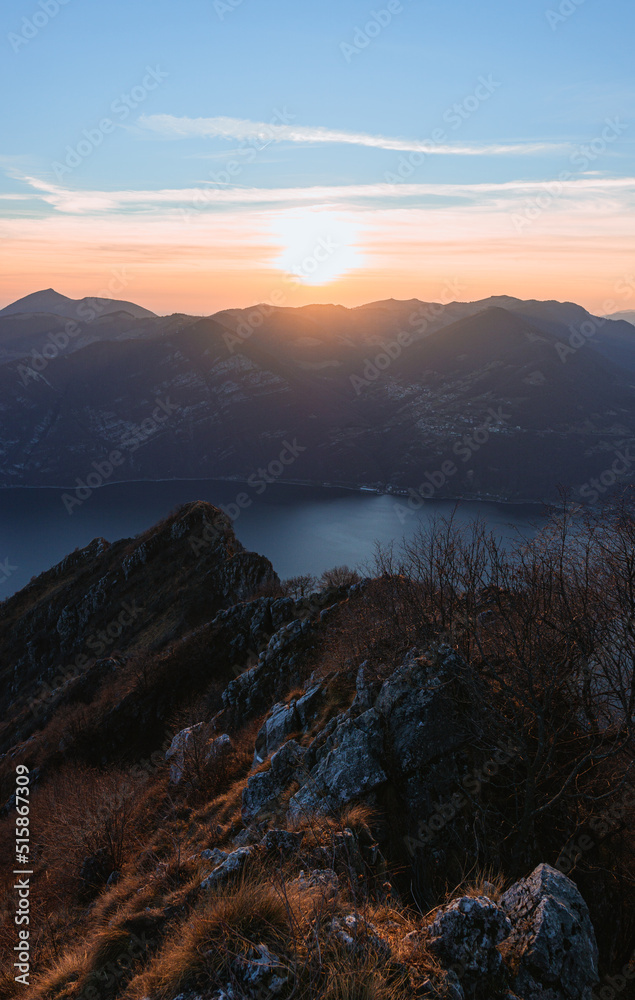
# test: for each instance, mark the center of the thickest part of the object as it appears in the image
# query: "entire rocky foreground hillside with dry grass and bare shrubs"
(251, 795)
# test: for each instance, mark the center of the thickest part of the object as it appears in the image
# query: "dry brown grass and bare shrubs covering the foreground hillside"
(548, 638)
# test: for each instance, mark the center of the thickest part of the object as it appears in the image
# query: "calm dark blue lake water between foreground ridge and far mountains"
(302, 529)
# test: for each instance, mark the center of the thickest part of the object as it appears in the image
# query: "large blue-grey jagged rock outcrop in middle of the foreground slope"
(409, 735)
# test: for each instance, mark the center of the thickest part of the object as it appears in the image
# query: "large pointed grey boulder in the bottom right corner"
(552, 936)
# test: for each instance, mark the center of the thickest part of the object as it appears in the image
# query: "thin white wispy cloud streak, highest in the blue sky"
(242, 129)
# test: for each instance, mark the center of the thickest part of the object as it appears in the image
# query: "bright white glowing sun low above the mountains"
(318, 246)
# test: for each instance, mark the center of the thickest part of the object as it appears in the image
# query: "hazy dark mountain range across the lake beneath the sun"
(500, 398)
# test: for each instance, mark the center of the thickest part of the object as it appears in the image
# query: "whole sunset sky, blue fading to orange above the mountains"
(210, 154)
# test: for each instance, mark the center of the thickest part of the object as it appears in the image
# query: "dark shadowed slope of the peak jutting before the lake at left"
(135, 593)
